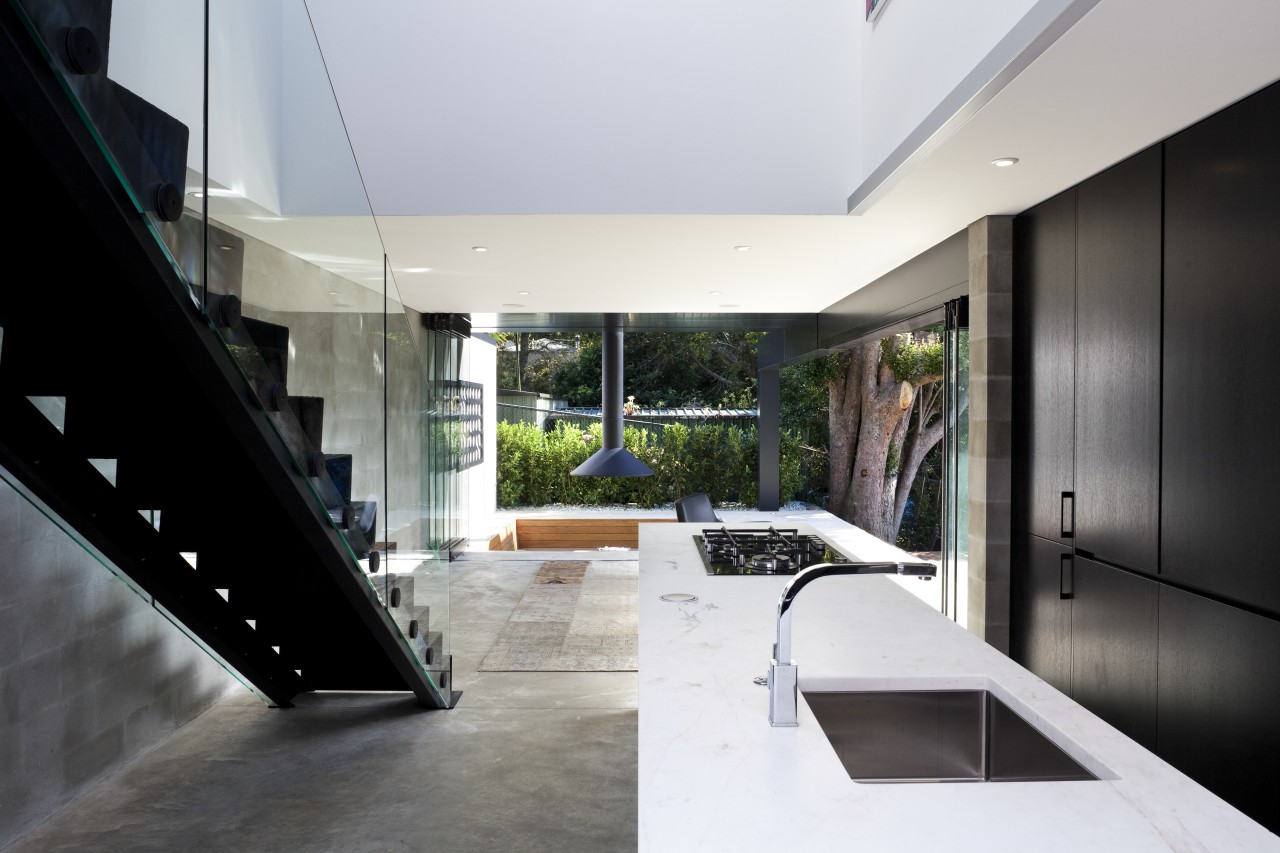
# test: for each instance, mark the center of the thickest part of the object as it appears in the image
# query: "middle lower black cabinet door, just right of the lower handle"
(1114, 626)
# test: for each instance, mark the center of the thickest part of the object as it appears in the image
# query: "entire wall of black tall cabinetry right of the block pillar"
(1145, 308)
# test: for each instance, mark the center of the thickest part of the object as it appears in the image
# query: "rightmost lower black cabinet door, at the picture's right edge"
(1220, 701)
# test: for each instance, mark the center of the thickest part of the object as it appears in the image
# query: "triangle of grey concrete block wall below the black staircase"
(90, 674)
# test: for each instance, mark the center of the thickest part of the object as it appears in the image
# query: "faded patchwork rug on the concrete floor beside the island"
(577, 617)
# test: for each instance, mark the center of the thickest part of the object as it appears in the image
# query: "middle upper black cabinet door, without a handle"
(1118, 363)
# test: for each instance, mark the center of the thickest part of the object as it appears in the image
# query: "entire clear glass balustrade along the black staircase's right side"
(221, 122)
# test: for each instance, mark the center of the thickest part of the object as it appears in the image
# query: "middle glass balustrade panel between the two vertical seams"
(296, 264)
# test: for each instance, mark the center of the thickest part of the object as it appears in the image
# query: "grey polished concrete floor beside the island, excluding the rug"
(527, 761)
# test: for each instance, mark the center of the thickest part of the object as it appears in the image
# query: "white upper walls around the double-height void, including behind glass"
(566, 107)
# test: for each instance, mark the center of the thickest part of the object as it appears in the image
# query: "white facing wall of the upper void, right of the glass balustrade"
(580, 107)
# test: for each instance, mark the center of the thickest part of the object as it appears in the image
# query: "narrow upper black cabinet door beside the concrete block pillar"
(1045, 368)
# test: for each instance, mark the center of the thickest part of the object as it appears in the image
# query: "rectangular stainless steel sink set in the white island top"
(938, 736)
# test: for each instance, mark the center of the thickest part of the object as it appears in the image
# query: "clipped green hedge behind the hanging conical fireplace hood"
(534, 467)
